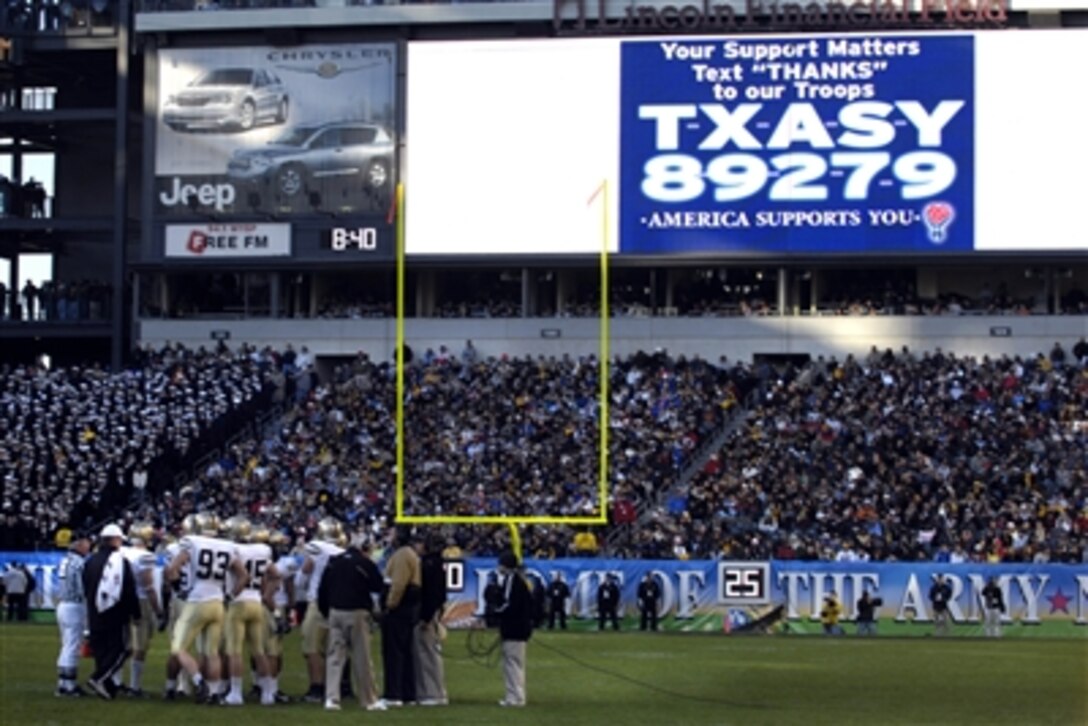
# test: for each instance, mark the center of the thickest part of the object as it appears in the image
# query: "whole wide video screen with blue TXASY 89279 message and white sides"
(802, 144)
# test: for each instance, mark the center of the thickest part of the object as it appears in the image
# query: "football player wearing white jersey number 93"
(209, 560)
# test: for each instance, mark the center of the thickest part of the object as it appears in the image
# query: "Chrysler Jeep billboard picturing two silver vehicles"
(264, 131)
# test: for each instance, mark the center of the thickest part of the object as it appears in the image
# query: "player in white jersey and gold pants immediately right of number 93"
(245, 617)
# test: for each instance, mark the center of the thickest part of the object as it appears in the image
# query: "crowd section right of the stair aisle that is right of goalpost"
(897, 457)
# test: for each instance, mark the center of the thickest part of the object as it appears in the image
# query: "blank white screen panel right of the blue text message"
(1031, 156)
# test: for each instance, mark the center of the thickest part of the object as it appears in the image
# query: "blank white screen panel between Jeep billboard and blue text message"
(508, 143)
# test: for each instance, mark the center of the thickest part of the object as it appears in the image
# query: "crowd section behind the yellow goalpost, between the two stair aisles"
(485, 437)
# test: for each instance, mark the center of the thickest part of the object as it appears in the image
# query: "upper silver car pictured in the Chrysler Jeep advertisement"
(234, 99)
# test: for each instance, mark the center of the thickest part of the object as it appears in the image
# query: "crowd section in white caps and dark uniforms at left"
(80, 442)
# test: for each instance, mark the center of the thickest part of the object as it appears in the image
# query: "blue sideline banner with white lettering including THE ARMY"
(716, 595)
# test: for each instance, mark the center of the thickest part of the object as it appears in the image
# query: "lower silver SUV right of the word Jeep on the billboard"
(311, 154)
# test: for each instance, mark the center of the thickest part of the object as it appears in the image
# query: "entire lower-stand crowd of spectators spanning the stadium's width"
(893, 457)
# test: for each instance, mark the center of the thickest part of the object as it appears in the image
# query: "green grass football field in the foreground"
(635, 679)
